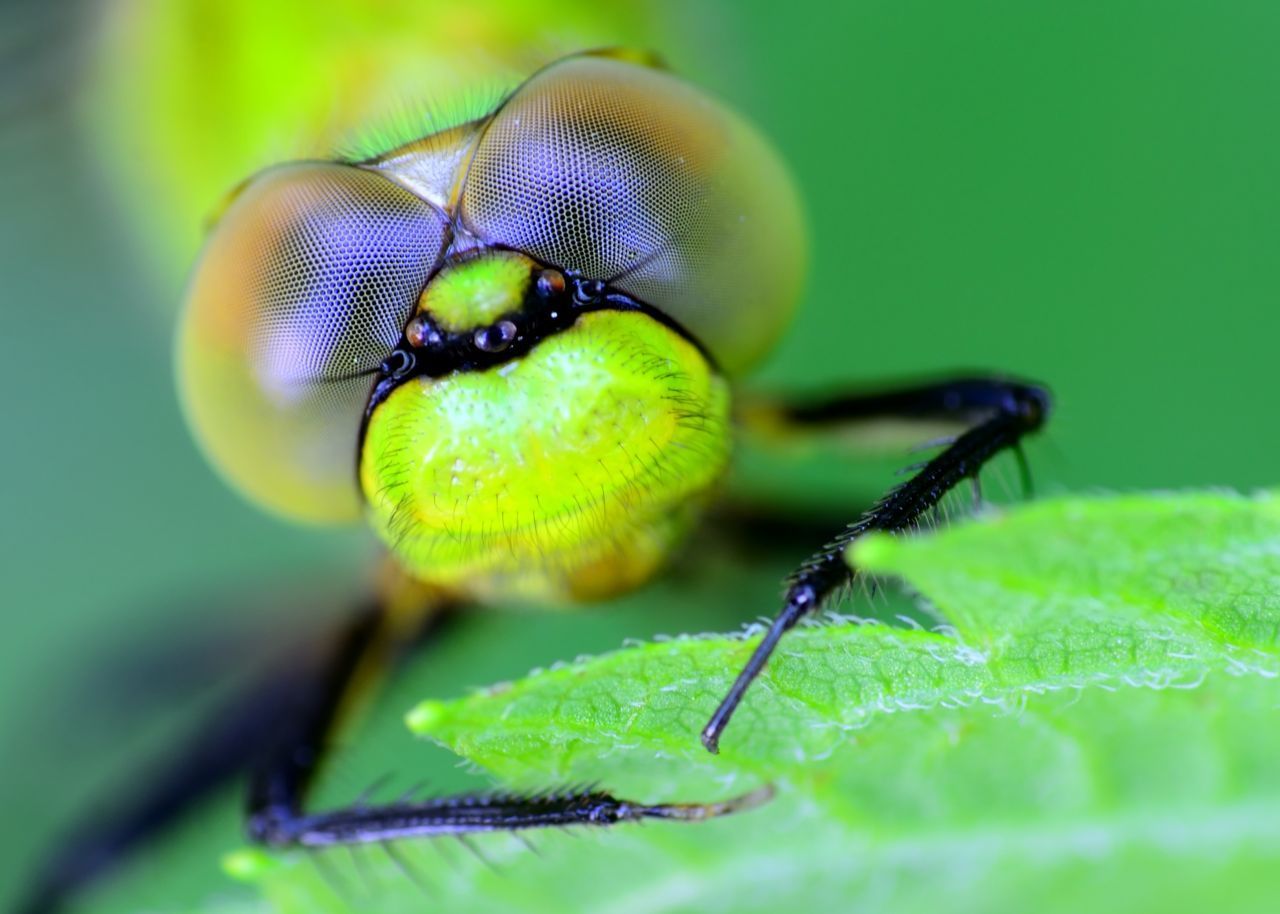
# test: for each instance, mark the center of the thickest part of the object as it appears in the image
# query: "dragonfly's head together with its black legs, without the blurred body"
(514, 349)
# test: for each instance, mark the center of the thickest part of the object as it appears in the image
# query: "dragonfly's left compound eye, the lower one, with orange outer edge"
(301, 293)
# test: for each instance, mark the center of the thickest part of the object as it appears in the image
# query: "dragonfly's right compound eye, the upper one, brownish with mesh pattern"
(623, 173)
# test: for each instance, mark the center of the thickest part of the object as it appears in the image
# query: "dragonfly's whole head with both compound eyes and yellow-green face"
(508, 344)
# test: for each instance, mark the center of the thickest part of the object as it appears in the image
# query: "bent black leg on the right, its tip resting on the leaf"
(999, 413)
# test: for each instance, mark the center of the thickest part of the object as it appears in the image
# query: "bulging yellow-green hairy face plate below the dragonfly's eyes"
(564, 473)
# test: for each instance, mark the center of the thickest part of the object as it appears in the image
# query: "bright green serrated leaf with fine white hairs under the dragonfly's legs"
(1096, 728)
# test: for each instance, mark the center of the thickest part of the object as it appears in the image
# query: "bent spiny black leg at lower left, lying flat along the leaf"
(281, 784)
